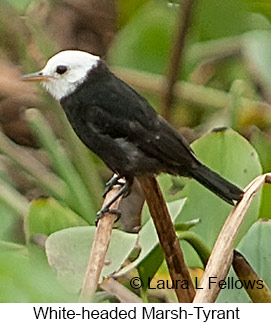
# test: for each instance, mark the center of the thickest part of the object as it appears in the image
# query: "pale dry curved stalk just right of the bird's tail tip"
(222, 254)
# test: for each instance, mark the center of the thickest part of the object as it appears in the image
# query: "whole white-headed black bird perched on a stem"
(121, 127)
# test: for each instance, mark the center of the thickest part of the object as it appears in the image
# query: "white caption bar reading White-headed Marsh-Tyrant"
(132, 312)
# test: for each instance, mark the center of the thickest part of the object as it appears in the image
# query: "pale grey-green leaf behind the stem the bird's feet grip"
(68, 252)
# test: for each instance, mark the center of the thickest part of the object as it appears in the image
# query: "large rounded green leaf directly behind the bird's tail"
(229, 154)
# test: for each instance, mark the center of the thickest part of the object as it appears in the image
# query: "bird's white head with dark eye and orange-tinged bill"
(64, 72)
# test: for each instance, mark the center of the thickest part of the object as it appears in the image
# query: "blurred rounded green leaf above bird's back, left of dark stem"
(144, 42)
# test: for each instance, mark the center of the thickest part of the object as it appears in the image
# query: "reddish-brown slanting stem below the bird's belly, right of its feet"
(168, 238)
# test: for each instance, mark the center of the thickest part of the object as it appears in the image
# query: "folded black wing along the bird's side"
(120, 112)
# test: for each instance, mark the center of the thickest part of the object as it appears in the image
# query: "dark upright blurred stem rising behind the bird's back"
(173, 71)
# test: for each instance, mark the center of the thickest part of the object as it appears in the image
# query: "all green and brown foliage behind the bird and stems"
(224, 81)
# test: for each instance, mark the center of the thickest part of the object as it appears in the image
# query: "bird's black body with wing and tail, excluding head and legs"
(120, 126)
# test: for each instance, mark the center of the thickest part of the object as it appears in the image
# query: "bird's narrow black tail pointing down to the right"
(217, 184)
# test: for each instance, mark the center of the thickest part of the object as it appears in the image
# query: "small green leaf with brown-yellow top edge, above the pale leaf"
(47, 216)
